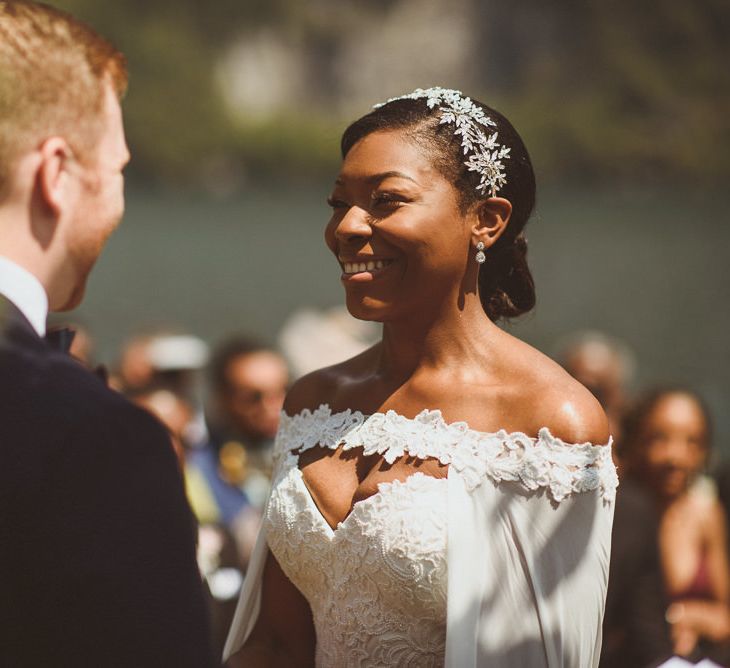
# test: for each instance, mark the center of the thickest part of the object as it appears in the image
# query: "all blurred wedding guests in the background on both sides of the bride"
(669, 583)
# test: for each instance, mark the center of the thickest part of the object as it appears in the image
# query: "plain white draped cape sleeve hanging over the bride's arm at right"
(527, 573)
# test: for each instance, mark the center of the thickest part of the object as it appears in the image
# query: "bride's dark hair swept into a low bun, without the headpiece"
(506, 288)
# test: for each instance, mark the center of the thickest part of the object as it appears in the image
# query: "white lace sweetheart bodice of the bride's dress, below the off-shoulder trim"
(388, 557)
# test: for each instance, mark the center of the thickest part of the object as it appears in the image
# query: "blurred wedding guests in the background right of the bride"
(669, 580)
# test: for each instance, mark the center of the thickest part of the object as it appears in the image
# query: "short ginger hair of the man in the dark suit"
(52, 74)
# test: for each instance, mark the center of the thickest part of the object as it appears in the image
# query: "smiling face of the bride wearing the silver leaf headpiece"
(396, 229)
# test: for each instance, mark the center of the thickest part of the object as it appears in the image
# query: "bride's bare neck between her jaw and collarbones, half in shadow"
(450, 337)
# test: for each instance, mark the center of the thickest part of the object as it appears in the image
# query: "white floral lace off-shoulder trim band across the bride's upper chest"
(539, 462)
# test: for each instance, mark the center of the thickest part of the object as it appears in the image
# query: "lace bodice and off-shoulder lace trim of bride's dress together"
(378, 583)
